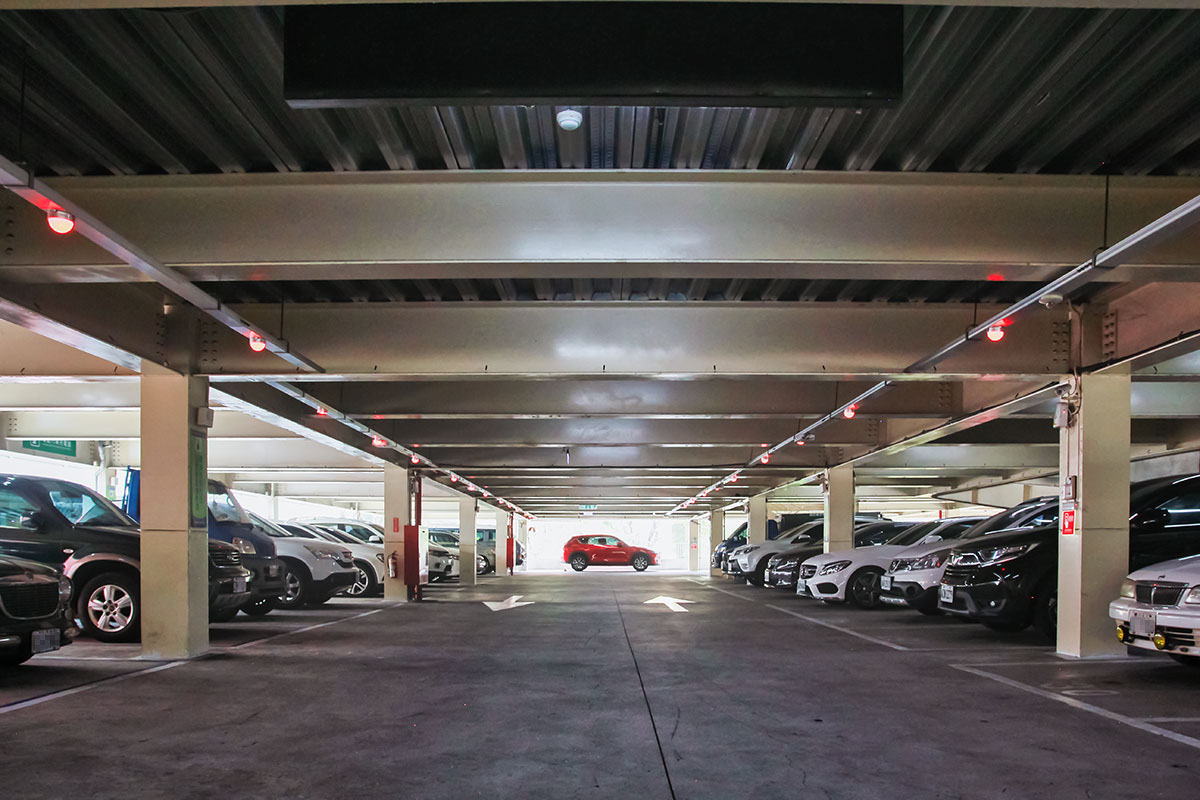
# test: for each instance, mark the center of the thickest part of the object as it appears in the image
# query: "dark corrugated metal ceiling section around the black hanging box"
(988, 89)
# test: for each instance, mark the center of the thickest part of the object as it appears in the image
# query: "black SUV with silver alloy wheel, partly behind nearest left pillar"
(99, 549)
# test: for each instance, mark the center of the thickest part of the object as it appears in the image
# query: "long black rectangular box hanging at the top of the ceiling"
(595, 55)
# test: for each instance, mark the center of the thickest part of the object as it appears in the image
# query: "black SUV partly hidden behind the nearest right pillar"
(1010, 581)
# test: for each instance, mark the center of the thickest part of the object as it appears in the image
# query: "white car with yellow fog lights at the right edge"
(1160, 610)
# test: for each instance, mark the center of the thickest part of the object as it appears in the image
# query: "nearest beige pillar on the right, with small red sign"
(1094, 465)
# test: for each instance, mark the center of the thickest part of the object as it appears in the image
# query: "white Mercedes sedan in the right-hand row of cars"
(854, 575)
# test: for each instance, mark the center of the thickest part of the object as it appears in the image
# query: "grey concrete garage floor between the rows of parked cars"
(755, 694)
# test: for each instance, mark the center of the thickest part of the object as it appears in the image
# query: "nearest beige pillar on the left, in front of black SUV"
(175, 515)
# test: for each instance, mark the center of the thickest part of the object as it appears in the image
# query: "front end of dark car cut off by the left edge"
(35, 611)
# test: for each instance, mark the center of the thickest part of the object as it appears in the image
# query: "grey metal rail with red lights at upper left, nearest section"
(34, 191)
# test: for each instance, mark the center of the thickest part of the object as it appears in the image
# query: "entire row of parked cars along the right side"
(1003, 572)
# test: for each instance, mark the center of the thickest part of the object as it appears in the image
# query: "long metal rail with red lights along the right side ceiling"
(1157, 232)
